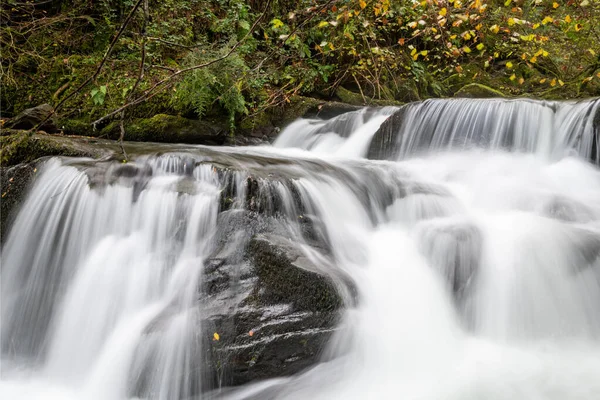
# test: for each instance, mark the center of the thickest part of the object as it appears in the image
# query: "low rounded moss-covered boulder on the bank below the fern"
(166, 129)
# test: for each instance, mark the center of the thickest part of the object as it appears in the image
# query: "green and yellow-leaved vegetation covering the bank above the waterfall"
(238, 60)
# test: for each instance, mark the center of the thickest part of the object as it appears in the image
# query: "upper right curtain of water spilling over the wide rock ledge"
(548, 128)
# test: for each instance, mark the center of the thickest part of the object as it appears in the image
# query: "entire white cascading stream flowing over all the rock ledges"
(470, 269)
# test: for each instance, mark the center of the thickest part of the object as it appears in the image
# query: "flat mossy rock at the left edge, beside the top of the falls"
(23, 147)
